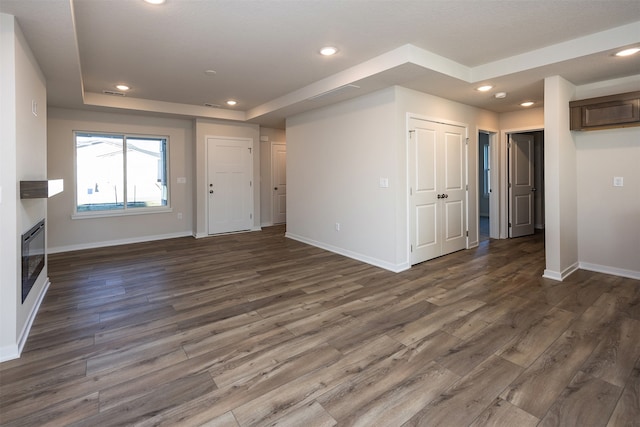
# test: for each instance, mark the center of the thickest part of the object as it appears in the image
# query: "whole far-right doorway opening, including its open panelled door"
(525, 183)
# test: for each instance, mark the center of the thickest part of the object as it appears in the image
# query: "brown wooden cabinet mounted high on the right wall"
(606, 112)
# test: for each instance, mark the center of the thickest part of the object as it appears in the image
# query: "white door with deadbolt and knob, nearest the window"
(229, 185)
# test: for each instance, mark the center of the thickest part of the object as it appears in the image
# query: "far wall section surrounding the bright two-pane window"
(70, 234)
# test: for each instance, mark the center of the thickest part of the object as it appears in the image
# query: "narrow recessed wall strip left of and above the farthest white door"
(268, 136)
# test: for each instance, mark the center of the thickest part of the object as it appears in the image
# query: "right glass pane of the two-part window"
(146, 172)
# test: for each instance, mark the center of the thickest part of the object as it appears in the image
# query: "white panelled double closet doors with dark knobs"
(437, 193)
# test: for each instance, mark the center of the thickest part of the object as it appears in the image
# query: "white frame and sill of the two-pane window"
(125, 211)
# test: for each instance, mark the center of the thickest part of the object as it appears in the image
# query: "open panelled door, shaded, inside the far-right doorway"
(521, 185)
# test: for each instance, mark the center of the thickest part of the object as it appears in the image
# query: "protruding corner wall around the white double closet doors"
(336, 157)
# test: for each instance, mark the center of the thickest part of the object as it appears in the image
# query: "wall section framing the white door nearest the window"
(210, 127)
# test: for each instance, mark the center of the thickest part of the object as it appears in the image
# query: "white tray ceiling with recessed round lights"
(265, 52)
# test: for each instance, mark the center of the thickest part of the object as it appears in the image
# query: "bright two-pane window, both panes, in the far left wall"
(118, 174)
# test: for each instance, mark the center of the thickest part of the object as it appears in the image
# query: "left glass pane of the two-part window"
(99, 172)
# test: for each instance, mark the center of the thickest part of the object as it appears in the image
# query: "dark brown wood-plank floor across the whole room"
(258, 330)
